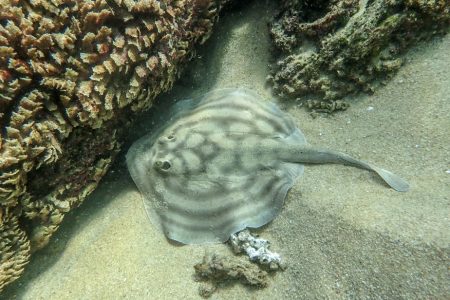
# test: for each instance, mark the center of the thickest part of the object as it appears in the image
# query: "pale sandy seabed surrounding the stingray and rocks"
(342, 232)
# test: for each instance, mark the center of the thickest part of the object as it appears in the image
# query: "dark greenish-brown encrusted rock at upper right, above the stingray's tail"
(330, 49)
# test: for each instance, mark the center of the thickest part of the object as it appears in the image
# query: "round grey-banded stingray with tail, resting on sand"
(224, 162)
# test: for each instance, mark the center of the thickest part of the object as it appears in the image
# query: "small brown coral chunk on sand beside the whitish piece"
(216, 270)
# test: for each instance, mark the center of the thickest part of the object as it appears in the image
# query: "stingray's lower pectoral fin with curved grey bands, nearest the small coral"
(208, 208)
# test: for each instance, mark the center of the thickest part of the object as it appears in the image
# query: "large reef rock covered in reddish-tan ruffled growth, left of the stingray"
(71, 74)
